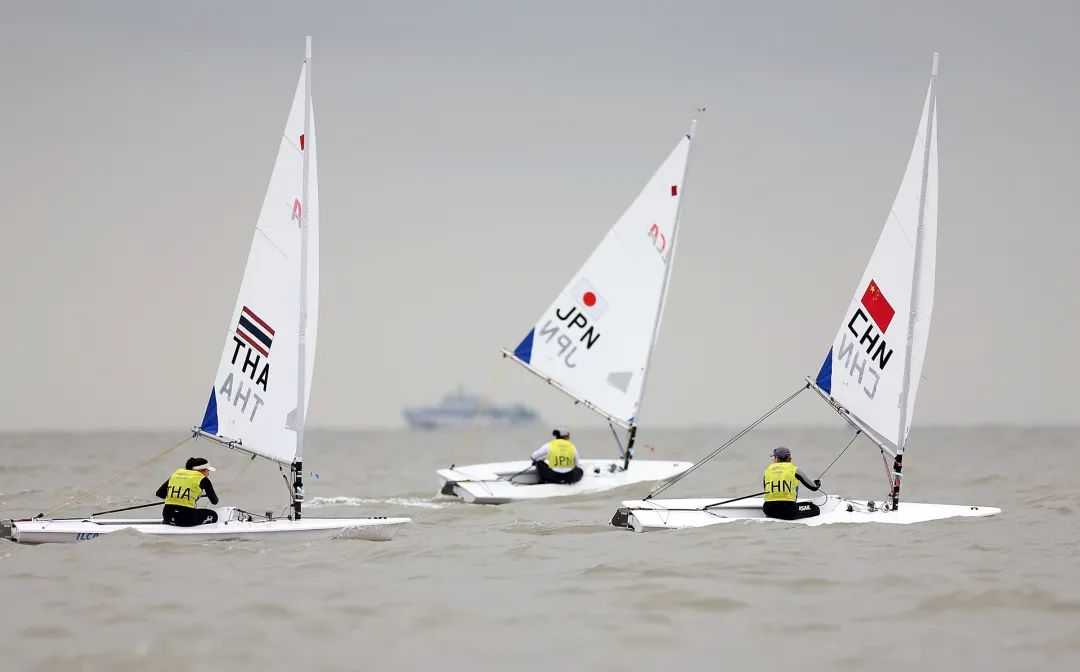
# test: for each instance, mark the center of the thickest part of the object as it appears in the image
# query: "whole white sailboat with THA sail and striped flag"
(260, 399)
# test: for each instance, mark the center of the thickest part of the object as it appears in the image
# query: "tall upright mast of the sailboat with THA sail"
(302, 374)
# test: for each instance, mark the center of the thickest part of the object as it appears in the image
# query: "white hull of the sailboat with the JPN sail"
(492, 483)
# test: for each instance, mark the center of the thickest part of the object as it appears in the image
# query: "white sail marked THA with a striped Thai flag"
(254, 398)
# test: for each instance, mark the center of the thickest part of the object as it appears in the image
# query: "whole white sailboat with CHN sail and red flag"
(873, 369)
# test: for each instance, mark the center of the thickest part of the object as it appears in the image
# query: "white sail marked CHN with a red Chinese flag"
(865, 369)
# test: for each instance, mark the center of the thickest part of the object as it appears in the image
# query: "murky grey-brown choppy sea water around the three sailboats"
(549, 585)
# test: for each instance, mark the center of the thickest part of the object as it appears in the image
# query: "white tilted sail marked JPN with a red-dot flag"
(596, 340)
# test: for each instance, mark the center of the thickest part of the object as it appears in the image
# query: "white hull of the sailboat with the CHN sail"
(653, 515)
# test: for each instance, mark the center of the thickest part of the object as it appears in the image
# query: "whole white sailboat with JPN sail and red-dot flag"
(595, 344)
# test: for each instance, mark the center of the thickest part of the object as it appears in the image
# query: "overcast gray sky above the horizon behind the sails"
(471, 156)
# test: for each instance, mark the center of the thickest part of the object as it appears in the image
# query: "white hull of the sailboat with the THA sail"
(227, 529)
